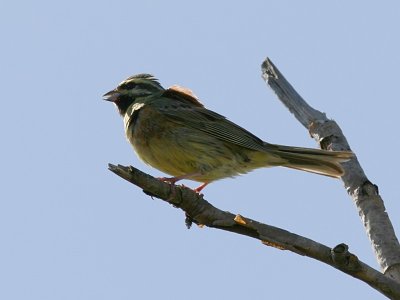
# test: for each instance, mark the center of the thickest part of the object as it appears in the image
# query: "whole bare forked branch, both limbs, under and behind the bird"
(364, 193)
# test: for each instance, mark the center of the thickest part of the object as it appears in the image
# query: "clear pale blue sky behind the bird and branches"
(70, 229)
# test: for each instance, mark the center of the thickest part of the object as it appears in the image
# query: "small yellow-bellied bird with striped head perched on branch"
(172, 131)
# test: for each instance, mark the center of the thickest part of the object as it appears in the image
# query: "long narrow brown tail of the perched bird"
(322, 162)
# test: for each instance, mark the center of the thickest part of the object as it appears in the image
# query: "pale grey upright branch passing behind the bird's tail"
(365, 194)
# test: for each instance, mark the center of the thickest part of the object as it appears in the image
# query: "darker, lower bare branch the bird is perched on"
(202, 212)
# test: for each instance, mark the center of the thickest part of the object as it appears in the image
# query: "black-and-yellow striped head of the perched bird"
(137, 86)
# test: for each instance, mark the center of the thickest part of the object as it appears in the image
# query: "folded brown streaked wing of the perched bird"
(186, 110)
